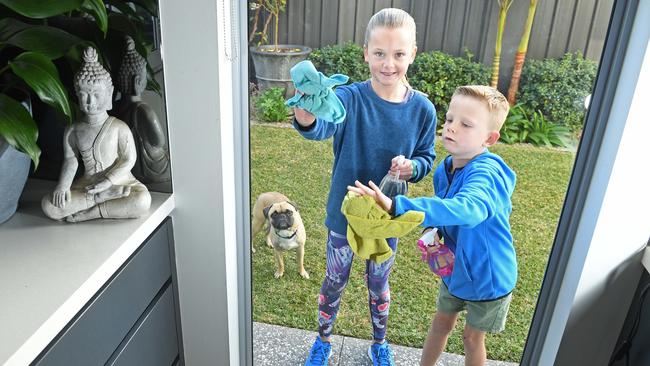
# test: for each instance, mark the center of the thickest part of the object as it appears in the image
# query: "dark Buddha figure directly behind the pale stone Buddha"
(152, 165)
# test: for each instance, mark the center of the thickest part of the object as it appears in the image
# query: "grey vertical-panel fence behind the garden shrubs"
(452, 26)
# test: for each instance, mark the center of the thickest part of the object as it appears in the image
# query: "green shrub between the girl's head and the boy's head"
(438, 74)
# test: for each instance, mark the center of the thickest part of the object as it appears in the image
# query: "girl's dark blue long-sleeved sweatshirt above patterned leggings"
(373, 133)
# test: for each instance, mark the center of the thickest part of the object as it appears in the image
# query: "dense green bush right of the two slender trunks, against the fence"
(558, 87)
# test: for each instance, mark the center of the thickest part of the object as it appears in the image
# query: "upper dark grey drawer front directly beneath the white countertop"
(97, 331)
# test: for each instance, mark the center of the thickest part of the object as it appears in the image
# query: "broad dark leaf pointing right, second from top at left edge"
(49, 41)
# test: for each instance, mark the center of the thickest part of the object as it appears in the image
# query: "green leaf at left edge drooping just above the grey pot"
(18, 128)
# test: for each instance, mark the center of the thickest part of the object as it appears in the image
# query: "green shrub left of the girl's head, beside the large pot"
(341, 59)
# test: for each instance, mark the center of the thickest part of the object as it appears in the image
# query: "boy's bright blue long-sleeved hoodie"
(472, 209)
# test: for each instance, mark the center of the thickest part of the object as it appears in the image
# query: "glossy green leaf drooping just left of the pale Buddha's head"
(41, 75)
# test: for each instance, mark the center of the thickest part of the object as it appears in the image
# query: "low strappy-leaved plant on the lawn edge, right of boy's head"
(522, 126)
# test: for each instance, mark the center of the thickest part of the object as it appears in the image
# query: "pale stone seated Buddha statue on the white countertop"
(105, 145)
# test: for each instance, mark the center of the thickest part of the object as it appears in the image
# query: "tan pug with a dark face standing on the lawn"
(285, 229)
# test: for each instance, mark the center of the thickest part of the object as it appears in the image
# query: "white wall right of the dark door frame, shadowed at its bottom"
(615, 227)
